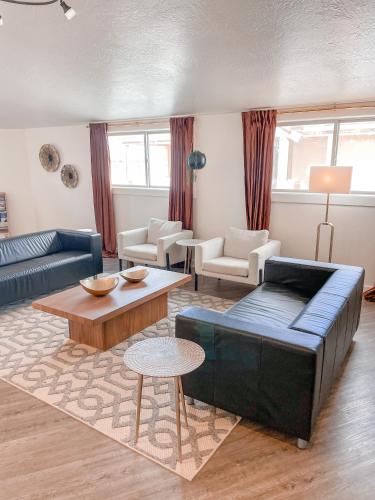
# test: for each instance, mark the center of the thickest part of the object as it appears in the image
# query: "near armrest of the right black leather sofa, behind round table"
(270, 374)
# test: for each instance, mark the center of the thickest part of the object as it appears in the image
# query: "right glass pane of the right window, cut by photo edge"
(356, 148)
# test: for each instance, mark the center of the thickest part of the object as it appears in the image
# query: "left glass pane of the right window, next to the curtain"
(297, 147)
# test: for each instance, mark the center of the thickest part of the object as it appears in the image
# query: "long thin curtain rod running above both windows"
(280, 111)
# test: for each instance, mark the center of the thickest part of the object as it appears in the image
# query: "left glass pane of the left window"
(127, 159)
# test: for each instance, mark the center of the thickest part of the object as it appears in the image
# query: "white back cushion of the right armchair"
(240, 242)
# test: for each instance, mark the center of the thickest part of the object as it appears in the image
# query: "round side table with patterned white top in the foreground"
(164, 357)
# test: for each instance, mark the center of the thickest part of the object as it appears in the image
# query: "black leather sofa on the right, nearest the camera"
(274, 356)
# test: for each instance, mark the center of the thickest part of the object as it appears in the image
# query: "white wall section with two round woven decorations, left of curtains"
(56, 205)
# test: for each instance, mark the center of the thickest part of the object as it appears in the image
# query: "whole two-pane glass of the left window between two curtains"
(141, 159)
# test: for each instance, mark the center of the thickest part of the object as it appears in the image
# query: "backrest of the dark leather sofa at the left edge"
(29, 246)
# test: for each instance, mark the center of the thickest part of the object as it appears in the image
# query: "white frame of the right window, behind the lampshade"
(335, 143)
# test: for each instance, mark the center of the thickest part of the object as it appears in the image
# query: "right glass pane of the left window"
(160, 159)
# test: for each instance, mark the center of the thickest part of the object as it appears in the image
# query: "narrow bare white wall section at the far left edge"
(15, 181)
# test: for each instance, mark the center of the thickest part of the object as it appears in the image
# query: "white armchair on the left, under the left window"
(154, 245)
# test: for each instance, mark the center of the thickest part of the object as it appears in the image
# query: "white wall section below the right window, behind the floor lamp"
(294, 218)
